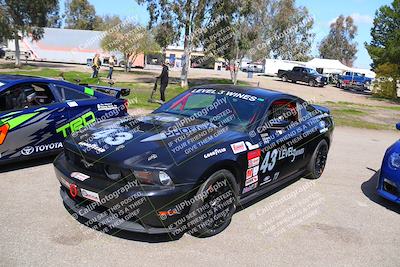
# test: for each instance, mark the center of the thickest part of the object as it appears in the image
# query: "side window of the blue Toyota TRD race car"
(25, 96)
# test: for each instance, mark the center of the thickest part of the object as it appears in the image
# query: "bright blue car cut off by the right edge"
(389, 179)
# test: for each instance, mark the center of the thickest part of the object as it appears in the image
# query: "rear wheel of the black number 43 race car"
(316, 166)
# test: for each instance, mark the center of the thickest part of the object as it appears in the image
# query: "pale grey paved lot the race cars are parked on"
(336, 221)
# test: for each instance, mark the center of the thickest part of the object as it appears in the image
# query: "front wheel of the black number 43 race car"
(215, 204)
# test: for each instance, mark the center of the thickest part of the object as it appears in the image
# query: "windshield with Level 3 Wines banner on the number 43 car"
(225, 107)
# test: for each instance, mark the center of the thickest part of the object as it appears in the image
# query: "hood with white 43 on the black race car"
(157, 140)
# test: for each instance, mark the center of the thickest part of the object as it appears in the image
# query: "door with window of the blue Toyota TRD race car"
(29, 115)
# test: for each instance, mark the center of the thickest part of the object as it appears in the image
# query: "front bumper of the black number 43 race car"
(134, 208)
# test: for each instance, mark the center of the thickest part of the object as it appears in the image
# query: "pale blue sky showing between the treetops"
(324, 12)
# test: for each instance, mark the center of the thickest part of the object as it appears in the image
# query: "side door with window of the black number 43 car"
(282, 148)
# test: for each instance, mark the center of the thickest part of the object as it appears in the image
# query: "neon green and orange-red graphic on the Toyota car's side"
(7, 123)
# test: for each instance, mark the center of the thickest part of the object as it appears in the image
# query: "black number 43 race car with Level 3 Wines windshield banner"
(189, 164)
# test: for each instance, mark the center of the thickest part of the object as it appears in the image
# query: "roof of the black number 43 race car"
(257, 91)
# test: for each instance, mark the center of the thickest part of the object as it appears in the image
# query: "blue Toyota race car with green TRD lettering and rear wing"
(36, 114)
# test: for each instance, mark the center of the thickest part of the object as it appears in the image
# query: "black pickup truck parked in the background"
(302, 74)
